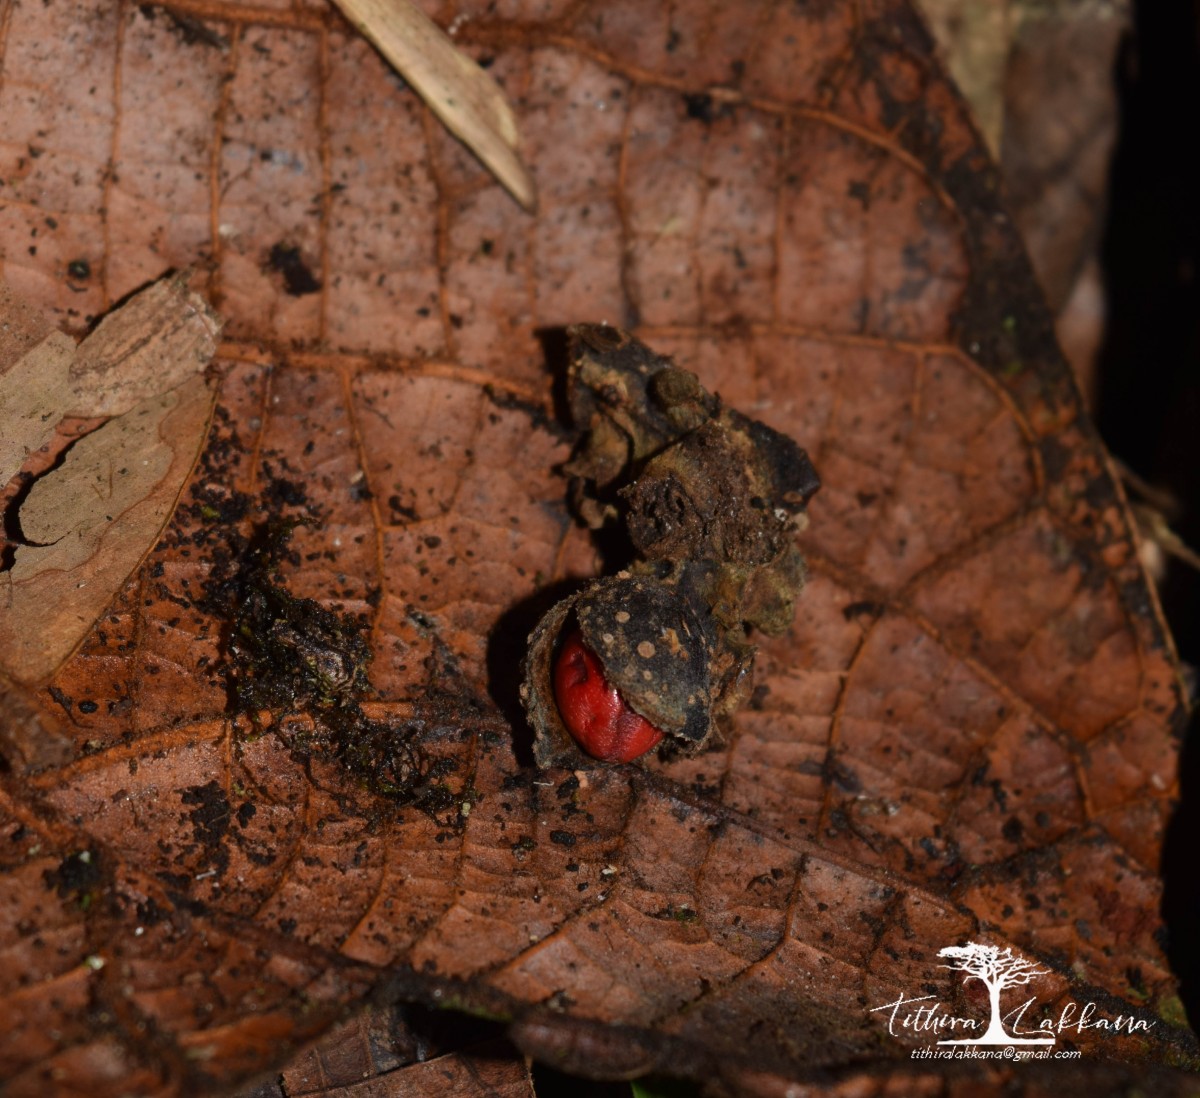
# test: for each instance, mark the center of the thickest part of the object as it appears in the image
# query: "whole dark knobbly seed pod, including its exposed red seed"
(711, 501)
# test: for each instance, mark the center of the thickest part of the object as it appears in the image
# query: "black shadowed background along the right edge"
(1149, 376)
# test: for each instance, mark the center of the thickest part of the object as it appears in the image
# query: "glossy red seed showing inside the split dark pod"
(595, 712)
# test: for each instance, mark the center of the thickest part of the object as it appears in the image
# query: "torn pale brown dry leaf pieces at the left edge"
(87, 524)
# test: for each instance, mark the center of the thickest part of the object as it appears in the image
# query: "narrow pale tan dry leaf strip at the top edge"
(466, 99)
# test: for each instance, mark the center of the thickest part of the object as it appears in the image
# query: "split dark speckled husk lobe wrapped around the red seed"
(652, 647)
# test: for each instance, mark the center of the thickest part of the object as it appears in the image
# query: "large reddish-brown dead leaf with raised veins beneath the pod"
(970, 733)
